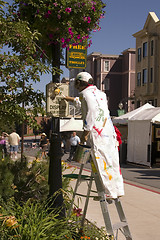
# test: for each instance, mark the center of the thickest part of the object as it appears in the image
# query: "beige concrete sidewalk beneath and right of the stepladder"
(142, 209)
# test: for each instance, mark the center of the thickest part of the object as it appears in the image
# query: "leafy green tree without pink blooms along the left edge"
(19, 70)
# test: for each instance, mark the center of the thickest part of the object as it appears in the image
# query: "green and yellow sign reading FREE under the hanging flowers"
(76, 56)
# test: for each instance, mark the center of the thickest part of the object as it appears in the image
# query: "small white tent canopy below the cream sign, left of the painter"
(71, 125)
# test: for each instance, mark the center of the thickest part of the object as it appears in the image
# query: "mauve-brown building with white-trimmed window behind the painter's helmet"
(114, 75)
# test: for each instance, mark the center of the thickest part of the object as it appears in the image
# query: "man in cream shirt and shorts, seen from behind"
(13, 140)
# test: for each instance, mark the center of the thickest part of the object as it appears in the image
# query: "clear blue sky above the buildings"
(122, 19)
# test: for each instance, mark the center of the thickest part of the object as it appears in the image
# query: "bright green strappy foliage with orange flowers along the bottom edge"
(32, 221)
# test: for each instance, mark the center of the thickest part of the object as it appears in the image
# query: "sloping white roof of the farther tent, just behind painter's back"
(124, 118)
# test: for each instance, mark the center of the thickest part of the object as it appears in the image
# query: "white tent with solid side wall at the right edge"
(140, 135)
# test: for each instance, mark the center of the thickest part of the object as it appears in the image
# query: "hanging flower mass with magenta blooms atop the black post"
(60, 20)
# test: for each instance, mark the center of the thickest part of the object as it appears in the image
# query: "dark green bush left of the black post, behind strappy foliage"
(17, 180)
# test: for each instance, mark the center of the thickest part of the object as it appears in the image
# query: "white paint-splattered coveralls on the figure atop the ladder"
(104, 147)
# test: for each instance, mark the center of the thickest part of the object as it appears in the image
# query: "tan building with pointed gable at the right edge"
(148, 62)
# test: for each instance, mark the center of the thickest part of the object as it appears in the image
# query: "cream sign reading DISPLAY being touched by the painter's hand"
(56, 106)
